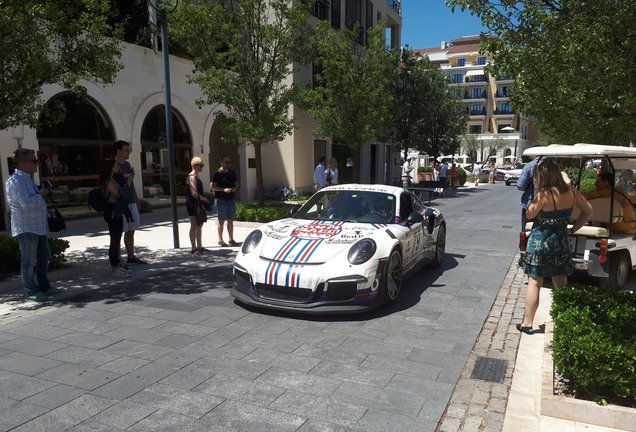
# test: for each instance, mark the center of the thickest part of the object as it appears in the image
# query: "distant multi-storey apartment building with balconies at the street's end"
(492, 119)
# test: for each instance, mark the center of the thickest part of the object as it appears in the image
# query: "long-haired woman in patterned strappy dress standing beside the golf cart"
(548, 248)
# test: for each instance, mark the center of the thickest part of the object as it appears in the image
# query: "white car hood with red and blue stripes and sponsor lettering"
(311, 242)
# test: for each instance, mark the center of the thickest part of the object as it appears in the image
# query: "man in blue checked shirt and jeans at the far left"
(29, 225)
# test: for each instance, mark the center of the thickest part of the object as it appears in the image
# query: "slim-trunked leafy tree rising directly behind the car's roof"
(352, 95)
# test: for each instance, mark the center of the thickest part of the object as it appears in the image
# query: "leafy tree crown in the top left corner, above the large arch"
(51, 42)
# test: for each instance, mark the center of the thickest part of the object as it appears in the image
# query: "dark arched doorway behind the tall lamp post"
(154, 156)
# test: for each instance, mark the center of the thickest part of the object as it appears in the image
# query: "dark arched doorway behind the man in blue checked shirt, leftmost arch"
(72, 150)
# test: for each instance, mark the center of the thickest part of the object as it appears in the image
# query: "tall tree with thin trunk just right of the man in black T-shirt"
(244, 53)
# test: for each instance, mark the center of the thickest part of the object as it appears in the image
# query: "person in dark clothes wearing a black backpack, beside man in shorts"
(110, 187)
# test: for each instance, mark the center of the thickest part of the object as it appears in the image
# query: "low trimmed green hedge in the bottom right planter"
(595, 341)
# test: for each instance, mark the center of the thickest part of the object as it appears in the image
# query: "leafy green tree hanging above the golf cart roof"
(573, 61)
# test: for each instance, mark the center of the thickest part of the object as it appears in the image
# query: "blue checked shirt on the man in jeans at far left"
(28, 208)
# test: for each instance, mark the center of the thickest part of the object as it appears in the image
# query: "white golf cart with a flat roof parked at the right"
(596, 248)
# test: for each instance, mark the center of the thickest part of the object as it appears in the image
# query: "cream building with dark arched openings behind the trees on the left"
(133, 110)
